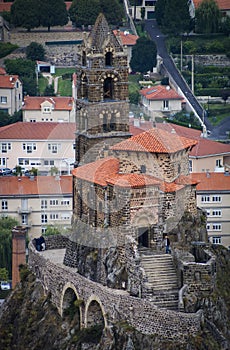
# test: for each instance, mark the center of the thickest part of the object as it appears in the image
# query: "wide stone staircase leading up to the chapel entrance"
(162, 284)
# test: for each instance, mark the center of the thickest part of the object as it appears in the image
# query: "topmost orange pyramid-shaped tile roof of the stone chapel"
(155, 141)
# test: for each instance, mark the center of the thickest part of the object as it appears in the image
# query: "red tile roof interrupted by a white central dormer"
(59, 103)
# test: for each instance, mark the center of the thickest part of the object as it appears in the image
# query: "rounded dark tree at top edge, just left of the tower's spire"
(84, 12)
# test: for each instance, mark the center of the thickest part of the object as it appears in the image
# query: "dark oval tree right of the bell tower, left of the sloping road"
(143, 55)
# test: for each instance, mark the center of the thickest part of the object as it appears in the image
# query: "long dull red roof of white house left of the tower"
(38, 131)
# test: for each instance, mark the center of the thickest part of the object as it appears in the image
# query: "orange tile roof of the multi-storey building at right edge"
(212, 181)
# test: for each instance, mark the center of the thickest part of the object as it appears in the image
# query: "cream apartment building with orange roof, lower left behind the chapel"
(37, 202)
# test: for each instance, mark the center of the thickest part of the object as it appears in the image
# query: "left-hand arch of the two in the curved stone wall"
(71, 305)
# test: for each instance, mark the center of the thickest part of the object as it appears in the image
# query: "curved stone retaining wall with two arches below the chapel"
(117, 305)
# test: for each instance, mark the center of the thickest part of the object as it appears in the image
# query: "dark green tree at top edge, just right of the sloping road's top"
(173, 16)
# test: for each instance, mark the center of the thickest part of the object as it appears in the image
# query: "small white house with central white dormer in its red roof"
(48, 109)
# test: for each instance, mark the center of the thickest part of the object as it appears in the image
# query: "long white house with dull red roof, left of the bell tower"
(39, 145)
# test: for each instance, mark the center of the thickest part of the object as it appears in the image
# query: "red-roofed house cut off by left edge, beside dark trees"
(10, 93)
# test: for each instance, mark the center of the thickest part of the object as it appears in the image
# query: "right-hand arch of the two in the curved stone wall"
(95, 313)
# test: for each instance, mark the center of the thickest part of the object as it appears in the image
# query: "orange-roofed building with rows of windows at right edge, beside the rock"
(213, 195)
